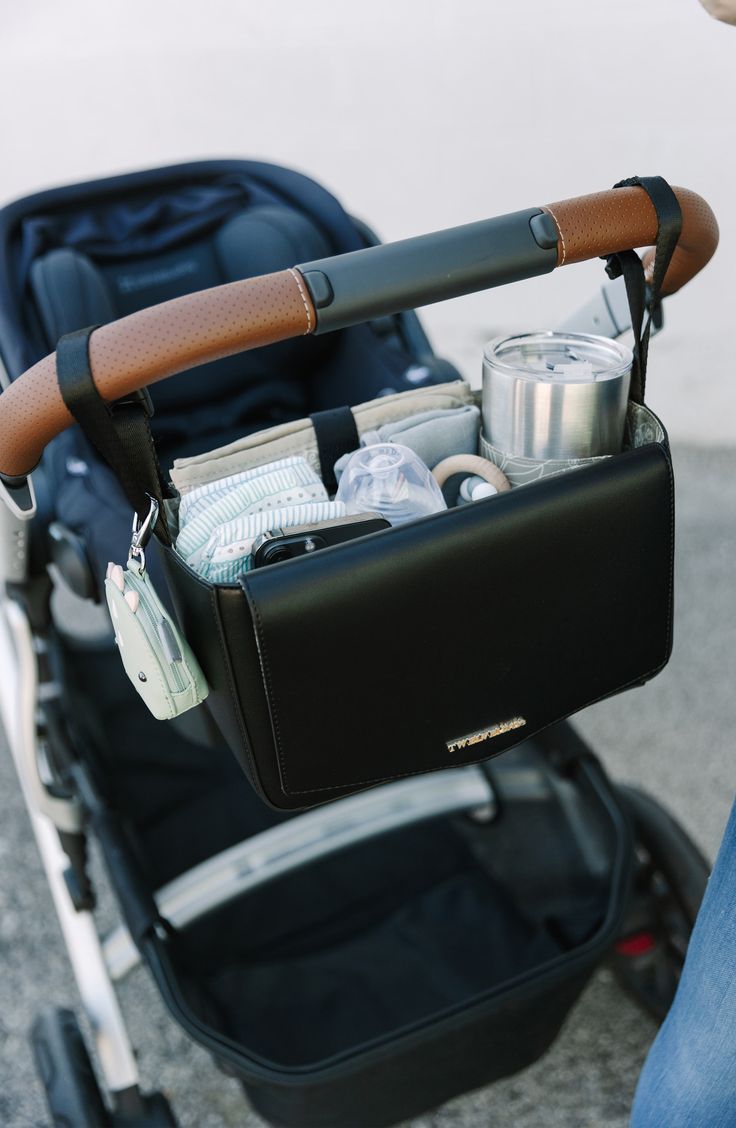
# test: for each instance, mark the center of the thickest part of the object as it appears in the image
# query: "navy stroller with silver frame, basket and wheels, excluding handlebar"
(457, 956)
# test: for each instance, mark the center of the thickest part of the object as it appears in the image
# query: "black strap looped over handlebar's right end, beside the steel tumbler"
(645, 301)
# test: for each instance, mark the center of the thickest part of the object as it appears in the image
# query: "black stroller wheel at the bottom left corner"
(66, 1072)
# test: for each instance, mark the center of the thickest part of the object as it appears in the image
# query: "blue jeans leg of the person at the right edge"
(689, 1080)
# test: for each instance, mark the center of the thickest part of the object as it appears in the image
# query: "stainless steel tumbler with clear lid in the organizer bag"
(556, 395)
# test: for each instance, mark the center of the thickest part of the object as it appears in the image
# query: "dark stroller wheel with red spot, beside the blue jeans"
(670, 882)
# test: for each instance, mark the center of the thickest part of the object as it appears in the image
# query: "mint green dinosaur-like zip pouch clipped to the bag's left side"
(157, 659)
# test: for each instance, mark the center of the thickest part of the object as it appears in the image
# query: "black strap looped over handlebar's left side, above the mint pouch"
(120, 433)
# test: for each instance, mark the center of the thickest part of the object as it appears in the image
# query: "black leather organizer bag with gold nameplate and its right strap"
(450, 640)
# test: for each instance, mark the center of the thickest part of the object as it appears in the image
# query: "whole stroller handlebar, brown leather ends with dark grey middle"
(323, 296)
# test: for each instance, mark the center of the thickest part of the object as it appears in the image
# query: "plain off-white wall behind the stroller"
(419, 114)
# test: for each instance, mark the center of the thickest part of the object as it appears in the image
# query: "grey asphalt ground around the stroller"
(673, 737)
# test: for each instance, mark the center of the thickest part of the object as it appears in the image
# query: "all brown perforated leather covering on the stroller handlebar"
(180, 334)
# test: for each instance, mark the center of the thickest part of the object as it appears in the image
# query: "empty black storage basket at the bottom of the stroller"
(372, 988)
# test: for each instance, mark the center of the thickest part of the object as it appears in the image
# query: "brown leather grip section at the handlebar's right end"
(606, 223)
